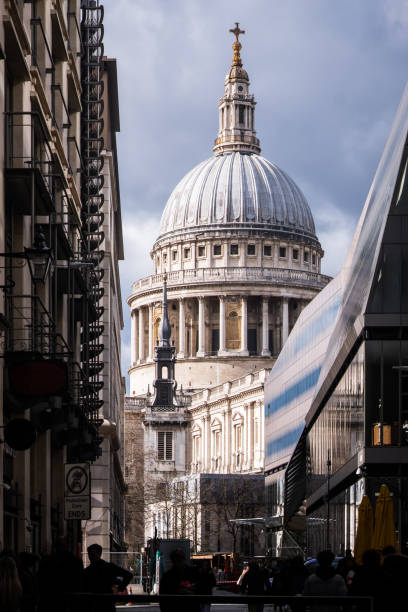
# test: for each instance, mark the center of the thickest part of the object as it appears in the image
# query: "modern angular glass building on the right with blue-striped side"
(336, 402)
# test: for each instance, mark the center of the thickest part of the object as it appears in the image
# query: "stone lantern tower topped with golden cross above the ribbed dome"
(236, 108)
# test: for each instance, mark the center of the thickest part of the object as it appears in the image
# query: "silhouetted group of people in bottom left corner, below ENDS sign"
(29, 584)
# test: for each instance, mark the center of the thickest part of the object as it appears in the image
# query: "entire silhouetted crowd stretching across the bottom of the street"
(23, 589)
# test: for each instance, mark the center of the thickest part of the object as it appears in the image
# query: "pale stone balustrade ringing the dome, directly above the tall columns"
(278, 276)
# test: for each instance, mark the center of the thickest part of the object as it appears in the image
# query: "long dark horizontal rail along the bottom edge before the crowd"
(91, 602)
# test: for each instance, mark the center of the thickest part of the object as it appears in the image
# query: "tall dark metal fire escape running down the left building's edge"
(92, 181)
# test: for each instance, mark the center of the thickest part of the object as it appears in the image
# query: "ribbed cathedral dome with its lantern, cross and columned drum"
(237, 242)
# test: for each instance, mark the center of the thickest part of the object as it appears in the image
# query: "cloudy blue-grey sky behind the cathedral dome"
(327, 75)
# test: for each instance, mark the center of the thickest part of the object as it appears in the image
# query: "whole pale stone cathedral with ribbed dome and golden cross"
(238, 249)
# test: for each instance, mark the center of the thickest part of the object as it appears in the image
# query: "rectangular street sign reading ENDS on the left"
(77, 504)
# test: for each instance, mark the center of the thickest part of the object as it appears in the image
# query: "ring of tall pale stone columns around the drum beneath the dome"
(144, 317)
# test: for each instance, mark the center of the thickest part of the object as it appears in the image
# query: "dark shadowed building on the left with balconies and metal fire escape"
(51, 262)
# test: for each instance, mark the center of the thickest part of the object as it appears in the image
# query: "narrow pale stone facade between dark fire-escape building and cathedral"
(106, 525)
